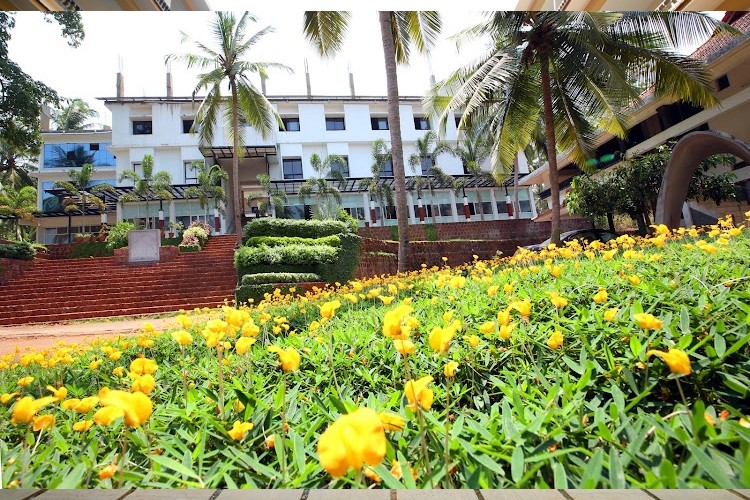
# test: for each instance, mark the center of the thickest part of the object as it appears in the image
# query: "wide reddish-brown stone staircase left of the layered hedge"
(57, 290)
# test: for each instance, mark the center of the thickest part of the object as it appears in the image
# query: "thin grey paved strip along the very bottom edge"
(375, 494)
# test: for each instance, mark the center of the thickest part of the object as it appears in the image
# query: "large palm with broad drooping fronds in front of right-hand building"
(578, 72)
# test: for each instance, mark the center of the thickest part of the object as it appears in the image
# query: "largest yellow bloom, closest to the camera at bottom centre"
(352, 441)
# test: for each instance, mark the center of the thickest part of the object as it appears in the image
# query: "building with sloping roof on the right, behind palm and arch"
(658, 121)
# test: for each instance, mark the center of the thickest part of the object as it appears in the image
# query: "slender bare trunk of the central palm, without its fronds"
(397, 150)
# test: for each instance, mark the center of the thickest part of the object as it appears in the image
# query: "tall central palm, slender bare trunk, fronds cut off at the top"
(399, 30)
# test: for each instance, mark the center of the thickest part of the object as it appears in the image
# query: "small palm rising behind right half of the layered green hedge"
(327, 196)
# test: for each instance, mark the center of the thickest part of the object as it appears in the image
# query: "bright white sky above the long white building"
(137, 42)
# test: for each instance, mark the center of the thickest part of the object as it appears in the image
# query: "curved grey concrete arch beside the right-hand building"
(689, 151)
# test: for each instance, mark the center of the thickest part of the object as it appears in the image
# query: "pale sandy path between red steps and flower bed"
(42, 336)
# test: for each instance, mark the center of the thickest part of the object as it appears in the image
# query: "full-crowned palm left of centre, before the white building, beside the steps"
(226, 64)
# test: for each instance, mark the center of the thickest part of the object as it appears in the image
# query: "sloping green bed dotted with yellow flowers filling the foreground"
(618, 365)
